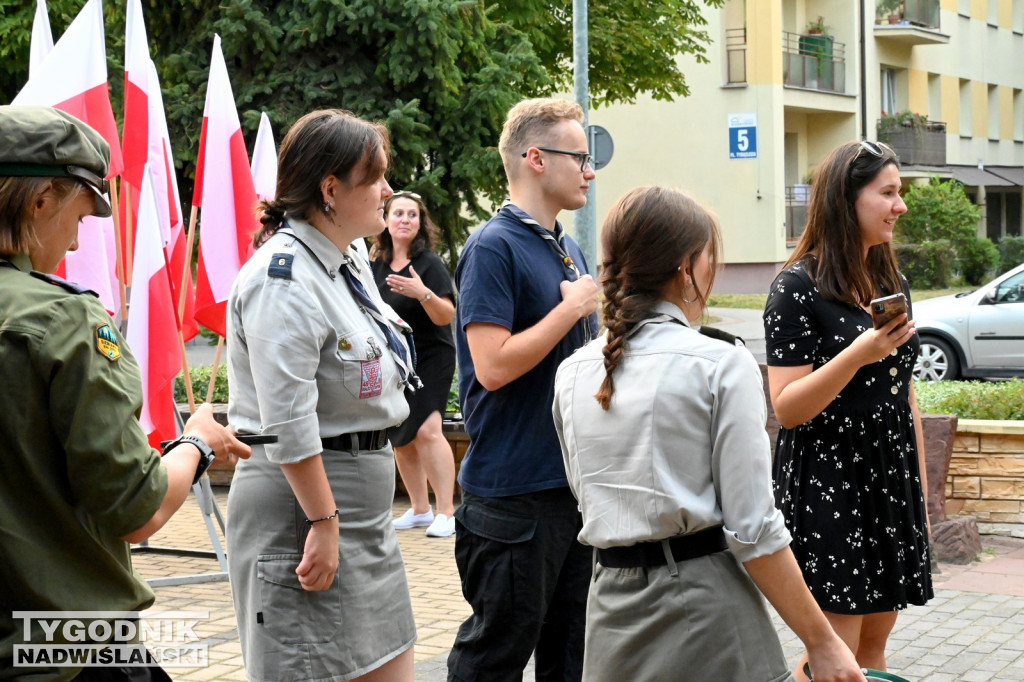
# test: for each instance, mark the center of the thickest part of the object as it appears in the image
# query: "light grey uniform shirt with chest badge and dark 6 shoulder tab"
(305, 361)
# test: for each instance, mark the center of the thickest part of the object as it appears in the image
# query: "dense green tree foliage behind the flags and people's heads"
(441, 74)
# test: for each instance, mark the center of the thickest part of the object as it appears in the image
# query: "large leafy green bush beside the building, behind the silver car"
(942, 211)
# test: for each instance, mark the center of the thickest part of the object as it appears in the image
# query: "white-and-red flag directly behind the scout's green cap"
(73, 78)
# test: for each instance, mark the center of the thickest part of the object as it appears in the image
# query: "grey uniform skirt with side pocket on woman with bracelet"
(364, 620)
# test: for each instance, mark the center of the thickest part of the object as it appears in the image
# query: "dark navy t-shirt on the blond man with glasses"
(510, 276)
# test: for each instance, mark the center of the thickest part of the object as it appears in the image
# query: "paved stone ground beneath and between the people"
(973, 631)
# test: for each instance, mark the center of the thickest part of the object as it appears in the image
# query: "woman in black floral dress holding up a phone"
(849, 463)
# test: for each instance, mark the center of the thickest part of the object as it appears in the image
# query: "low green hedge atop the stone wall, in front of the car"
(972, 400)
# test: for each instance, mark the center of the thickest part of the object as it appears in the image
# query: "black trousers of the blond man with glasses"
(527, 578)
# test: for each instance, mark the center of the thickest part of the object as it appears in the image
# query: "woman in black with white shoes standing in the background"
(415, 282)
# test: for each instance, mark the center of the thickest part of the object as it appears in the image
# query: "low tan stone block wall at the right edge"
(987, 476)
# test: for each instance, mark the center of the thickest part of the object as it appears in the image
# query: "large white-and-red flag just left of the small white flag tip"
(225, 179)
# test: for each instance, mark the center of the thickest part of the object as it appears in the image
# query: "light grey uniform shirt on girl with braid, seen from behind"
(682, 448)
